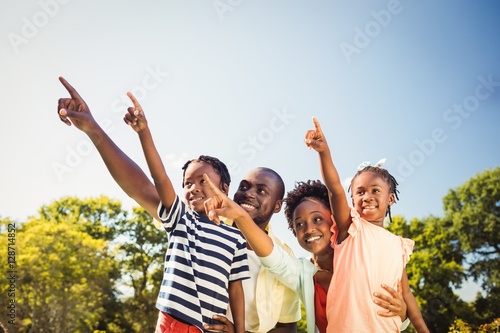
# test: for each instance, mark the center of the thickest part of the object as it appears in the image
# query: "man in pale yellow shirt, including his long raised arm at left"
(253, 197)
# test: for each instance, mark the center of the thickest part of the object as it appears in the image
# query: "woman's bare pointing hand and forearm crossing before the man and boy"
(220, 205)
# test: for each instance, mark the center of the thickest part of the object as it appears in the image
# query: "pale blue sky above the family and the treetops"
(416, 82)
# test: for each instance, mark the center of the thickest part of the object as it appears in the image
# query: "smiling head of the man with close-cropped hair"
(259, 193)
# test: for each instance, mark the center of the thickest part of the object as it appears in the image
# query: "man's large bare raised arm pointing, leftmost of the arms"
(127, 174)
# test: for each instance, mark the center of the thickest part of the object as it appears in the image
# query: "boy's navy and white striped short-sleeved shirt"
(202, 258)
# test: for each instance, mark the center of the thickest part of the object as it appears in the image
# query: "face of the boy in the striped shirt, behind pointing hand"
(195, 187)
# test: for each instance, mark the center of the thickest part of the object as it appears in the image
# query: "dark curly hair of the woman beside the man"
(311, 189)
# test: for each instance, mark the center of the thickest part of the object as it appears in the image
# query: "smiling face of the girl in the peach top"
(371, 197)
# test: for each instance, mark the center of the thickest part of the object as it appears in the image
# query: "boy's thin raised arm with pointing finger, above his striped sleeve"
(136, 119)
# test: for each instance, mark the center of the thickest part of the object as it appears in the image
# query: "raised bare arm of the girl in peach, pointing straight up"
(316, 140)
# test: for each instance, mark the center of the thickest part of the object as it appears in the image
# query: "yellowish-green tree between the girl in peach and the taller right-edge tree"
(434, 269)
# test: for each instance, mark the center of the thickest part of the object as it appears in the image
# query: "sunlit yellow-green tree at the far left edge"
(65, 268)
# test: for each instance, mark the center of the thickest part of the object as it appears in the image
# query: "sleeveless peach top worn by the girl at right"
(368, 257)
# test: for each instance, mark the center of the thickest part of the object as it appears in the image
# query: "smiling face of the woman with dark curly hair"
(312, 222)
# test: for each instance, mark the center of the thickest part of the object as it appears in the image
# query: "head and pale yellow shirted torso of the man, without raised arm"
(270, 306)
